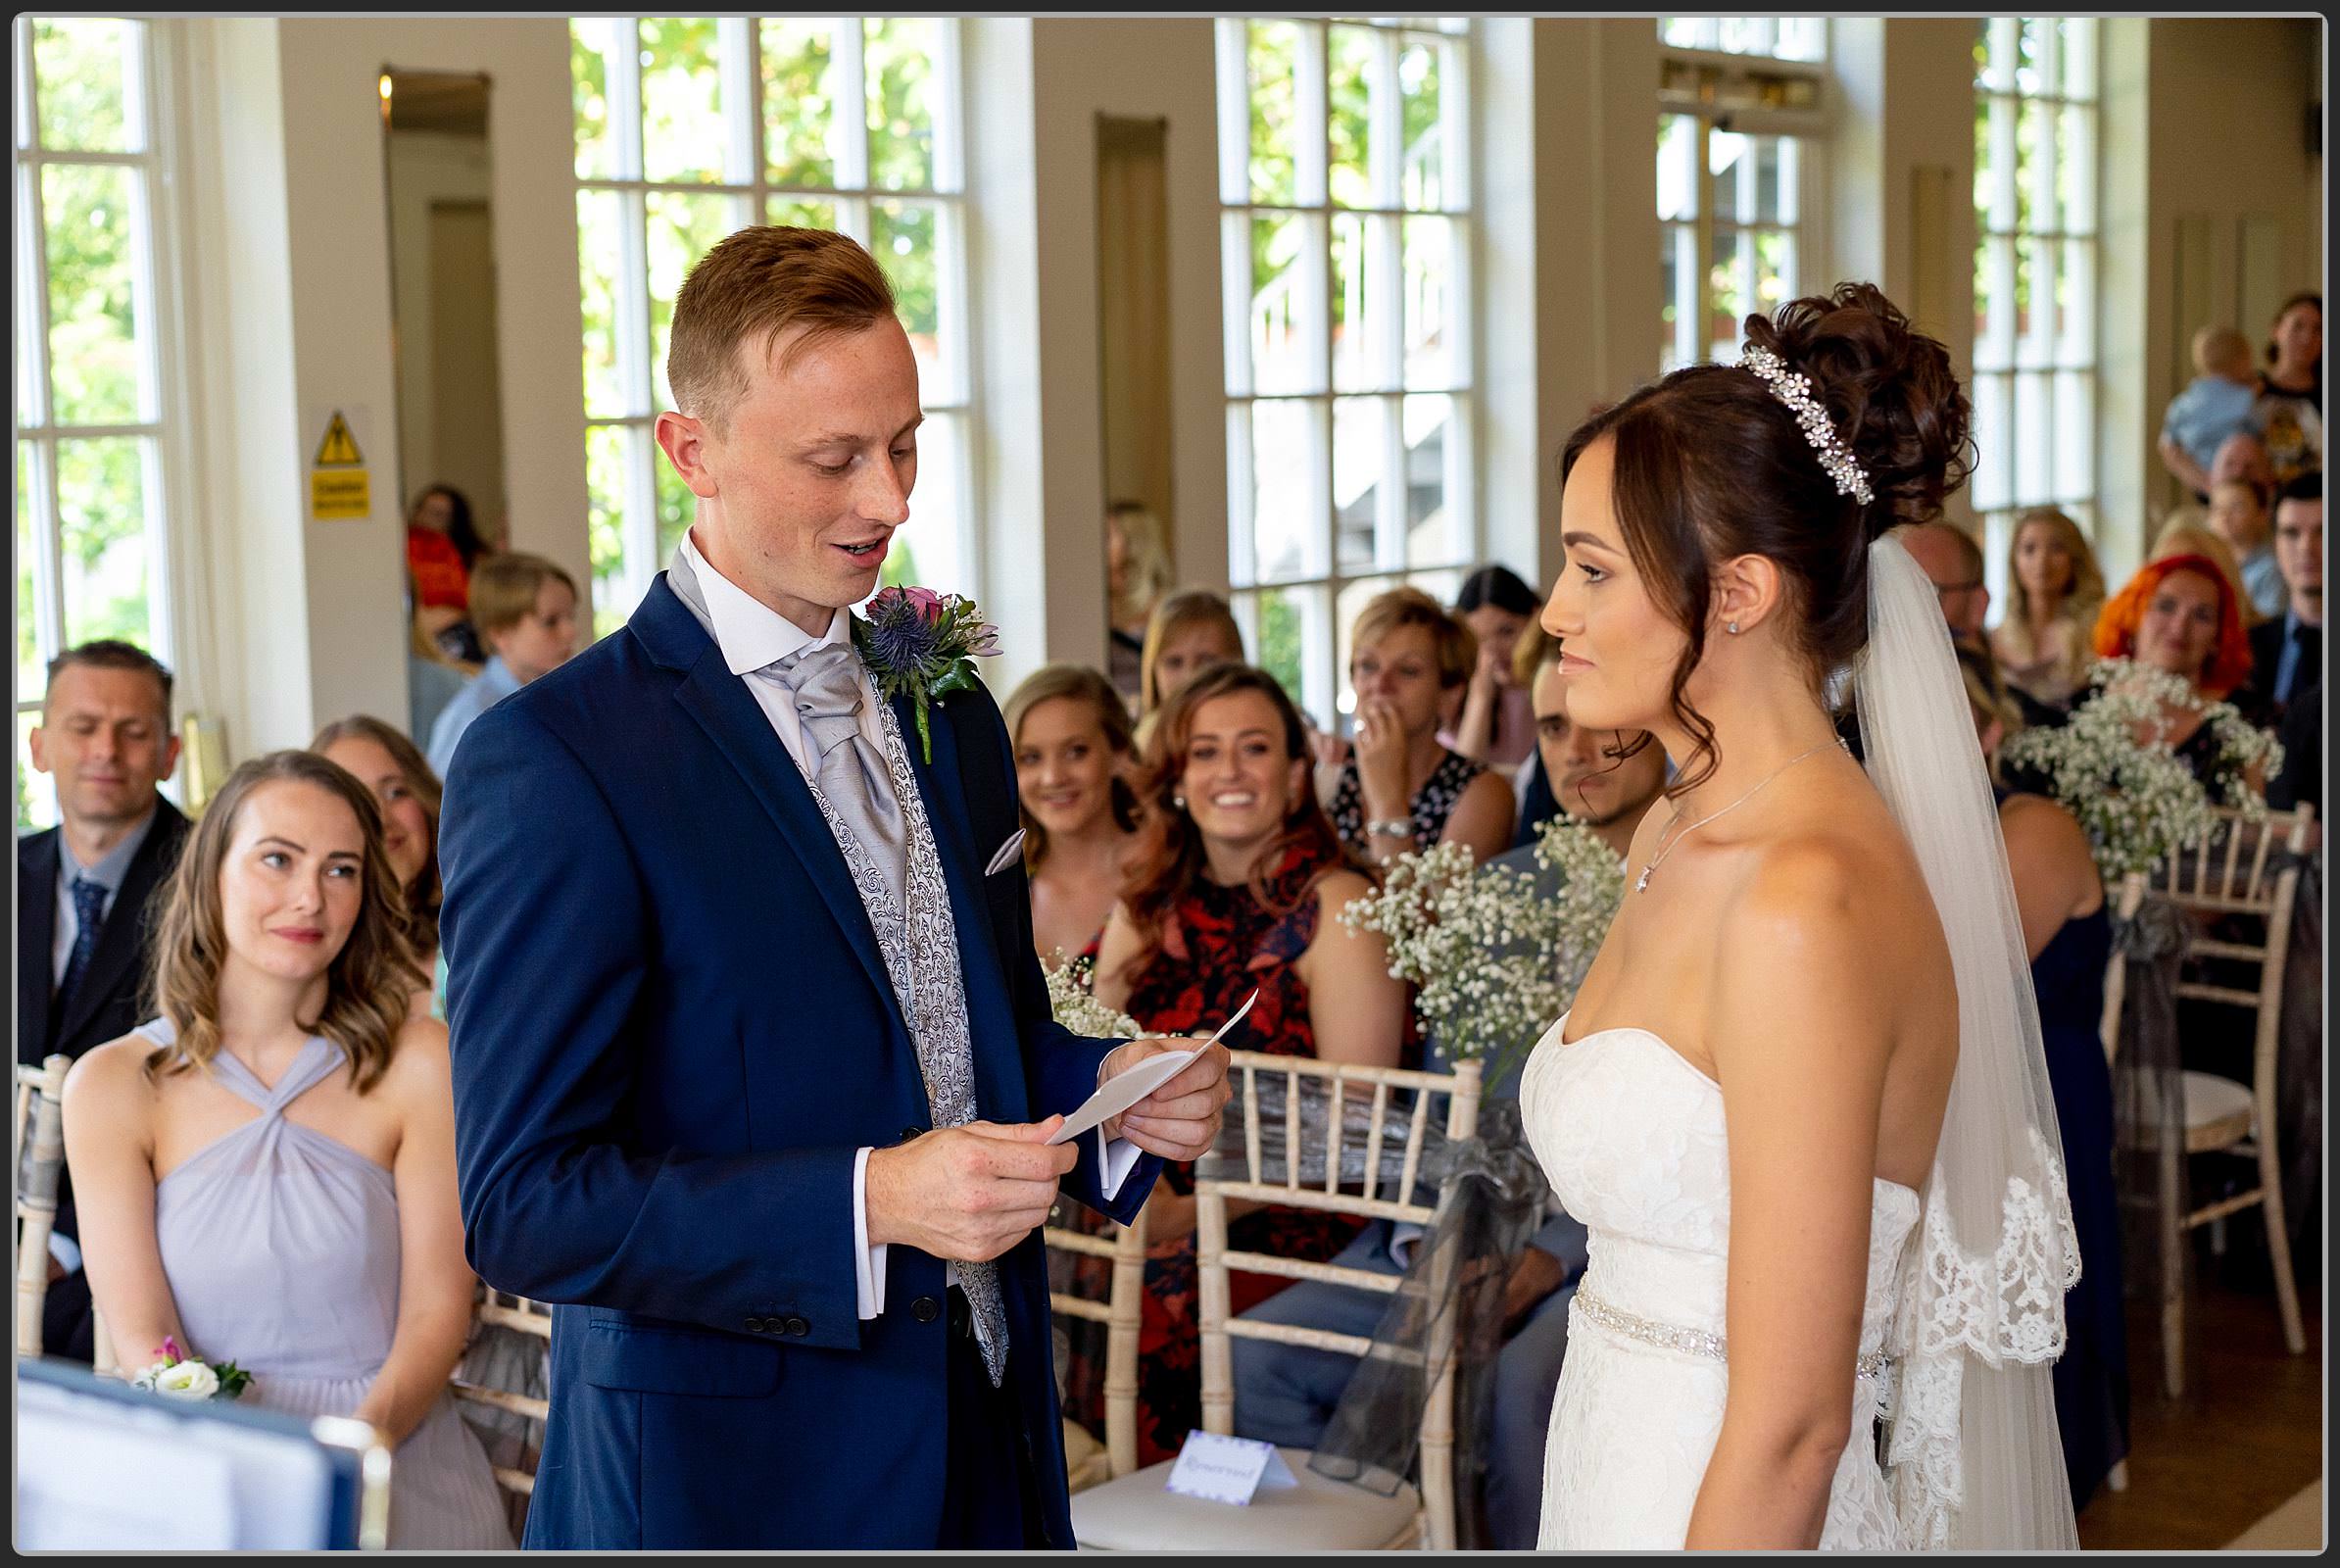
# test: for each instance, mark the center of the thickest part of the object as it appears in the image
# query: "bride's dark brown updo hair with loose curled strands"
(1709, 465)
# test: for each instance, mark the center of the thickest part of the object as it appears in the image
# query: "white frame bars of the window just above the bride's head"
(1754, 95)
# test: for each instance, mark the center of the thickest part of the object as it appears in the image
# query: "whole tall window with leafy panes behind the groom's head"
(694, 128)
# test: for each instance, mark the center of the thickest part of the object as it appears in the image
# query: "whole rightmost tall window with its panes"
(2035, 273)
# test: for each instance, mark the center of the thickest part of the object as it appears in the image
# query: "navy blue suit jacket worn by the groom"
(670, 1031)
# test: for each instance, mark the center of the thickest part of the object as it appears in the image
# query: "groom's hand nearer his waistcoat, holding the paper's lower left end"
(968, 1192)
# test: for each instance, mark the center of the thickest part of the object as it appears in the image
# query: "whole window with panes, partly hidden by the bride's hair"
(1737, 174)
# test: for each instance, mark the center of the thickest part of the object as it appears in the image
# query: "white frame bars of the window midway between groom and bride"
(1316, 591)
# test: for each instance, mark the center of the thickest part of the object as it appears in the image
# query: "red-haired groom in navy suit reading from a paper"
(752, 1057)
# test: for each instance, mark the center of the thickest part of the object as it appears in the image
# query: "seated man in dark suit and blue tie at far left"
(88, 893)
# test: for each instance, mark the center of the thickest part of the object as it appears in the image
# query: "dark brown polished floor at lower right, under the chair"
(2245, 1438)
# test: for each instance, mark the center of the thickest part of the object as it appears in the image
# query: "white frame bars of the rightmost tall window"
(2039, 448)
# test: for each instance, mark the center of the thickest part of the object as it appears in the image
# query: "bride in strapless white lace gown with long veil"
(1801, 1099)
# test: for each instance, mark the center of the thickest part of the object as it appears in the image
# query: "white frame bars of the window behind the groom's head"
(750, 191)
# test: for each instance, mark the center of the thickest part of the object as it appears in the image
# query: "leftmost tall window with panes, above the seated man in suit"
(92, 507)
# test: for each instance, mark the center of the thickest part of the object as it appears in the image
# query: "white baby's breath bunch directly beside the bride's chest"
(1492, 961)
